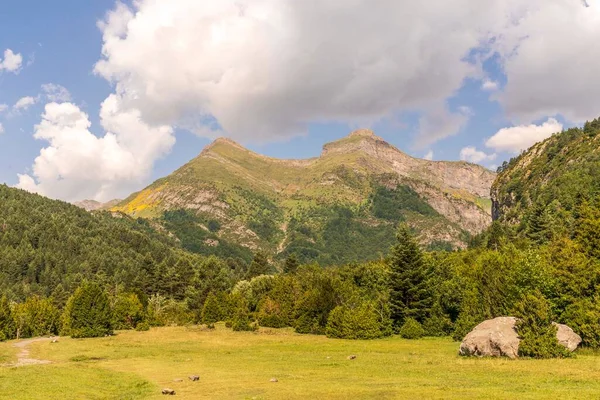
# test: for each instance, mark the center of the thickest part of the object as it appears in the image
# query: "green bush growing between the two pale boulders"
(535, 329)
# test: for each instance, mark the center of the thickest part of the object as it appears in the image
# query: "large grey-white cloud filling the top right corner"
(551, 58)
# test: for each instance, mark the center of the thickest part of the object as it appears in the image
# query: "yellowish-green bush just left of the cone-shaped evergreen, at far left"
(36, 317)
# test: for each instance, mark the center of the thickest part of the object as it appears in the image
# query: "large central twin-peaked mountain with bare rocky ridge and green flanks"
(341, 206)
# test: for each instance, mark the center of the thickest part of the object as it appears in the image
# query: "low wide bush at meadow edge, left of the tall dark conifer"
(362, 322)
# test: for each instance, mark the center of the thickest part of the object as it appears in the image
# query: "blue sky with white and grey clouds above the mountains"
(433, 109)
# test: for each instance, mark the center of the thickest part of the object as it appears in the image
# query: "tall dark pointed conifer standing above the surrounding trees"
(410, 295)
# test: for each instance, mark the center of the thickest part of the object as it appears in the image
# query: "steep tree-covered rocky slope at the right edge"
(539, 194)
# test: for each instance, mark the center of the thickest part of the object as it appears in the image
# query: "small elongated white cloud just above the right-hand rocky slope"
(522, 137)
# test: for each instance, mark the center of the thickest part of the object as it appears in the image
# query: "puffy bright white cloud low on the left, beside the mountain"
(78, 165)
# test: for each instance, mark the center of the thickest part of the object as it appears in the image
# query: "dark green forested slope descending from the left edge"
(48, 247)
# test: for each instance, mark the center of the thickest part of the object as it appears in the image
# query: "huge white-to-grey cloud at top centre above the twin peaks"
(264, 69)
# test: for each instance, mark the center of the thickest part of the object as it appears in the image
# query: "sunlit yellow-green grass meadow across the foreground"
(237, 365)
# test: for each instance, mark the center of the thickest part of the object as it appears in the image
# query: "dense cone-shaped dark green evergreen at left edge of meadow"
(88, 312)
